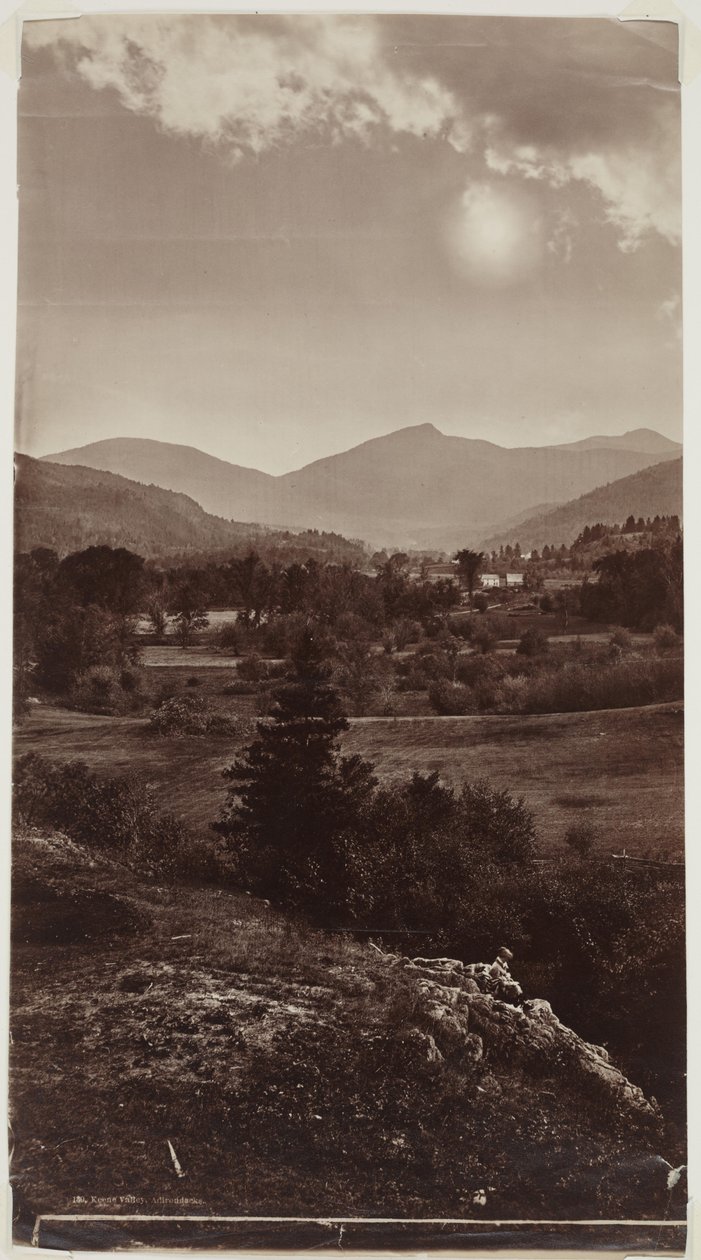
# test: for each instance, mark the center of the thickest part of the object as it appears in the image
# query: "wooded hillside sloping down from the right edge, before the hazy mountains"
(656, 491)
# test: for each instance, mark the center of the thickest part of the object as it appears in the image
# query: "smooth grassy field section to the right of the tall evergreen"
(627, 763)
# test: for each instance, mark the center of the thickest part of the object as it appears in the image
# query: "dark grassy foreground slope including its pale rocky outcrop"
(291, 1073)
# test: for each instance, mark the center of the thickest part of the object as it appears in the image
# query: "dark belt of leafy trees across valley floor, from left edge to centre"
(80, 612)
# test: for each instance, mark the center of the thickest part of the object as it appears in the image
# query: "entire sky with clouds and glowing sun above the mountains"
(275, 238)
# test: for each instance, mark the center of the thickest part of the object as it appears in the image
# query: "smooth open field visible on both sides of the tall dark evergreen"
(617, 769)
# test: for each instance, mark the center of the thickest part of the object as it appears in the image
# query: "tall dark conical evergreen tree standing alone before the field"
(293, 797)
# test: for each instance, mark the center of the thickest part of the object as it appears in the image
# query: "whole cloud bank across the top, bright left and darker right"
(563, 104)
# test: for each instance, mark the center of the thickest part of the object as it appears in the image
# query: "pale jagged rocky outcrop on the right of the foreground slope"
(457, 1017)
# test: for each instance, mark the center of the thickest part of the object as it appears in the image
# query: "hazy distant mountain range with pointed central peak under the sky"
(413, 488)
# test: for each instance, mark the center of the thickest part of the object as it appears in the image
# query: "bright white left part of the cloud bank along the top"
(255, 85)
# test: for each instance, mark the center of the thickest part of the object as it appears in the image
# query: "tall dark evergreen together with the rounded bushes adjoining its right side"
(313, 830)
